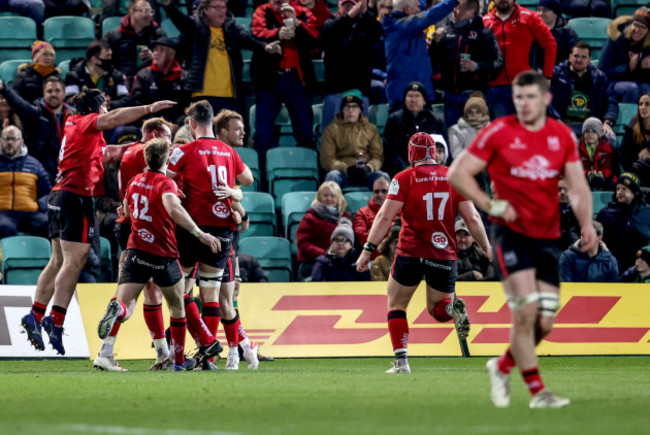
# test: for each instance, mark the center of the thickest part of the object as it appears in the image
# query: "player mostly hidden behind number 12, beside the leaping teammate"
(132, 164)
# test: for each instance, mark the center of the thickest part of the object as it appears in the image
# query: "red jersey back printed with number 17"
(428, 214)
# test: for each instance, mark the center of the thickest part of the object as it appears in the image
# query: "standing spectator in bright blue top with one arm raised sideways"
(406, 51)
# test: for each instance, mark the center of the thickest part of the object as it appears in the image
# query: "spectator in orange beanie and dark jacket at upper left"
(30, 76)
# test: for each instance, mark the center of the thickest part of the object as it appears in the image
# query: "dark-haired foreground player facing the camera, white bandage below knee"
(525, 156)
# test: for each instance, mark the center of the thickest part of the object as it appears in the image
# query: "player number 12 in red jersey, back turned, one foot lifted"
(152, 202)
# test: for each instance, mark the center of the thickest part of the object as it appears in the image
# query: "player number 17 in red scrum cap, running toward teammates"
(426, 245)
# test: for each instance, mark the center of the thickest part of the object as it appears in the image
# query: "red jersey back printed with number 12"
(152, 229)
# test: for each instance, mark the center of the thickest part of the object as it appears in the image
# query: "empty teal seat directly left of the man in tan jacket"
(291, 170)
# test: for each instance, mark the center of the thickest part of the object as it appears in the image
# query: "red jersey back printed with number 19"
(203, 165)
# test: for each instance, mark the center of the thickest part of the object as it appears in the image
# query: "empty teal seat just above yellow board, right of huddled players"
(273, 254)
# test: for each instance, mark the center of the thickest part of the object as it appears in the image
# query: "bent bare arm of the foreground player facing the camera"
(461, 175)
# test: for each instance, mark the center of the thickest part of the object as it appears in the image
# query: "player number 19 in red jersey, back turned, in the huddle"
(209, 168)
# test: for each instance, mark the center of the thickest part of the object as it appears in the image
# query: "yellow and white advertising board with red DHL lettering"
(349, 320)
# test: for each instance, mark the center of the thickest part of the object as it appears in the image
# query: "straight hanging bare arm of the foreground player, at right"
(580, 197)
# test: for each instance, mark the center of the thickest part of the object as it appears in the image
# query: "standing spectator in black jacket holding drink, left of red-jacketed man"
(465, 55)
